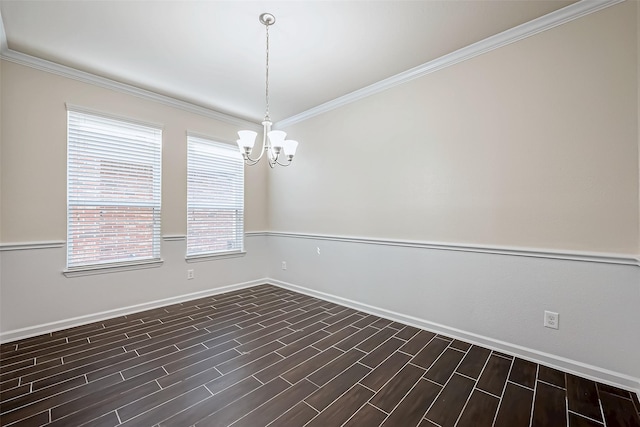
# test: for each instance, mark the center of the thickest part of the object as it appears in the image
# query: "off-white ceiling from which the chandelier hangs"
(212, 53)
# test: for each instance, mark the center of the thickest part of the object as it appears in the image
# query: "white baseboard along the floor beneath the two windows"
(18, 334)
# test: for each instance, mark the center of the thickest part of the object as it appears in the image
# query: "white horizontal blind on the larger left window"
(113, 191)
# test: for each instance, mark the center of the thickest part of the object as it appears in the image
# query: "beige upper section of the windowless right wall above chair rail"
(531, 145)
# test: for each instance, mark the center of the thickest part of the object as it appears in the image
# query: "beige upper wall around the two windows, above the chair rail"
(34, 153)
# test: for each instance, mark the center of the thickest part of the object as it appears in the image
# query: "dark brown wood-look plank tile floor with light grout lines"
(270, 356)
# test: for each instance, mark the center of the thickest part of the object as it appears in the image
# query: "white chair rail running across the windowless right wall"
(606, 258)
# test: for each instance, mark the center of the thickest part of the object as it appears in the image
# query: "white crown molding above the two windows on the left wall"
(84, 77)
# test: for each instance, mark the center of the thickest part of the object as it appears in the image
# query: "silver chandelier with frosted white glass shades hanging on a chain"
(273, 141)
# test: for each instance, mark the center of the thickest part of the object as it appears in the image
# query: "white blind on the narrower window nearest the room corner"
(215, 198)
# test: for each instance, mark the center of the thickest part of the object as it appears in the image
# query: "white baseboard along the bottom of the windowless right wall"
(567, 365)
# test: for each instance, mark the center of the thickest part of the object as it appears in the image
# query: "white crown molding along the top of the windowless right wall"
(512, 35)
